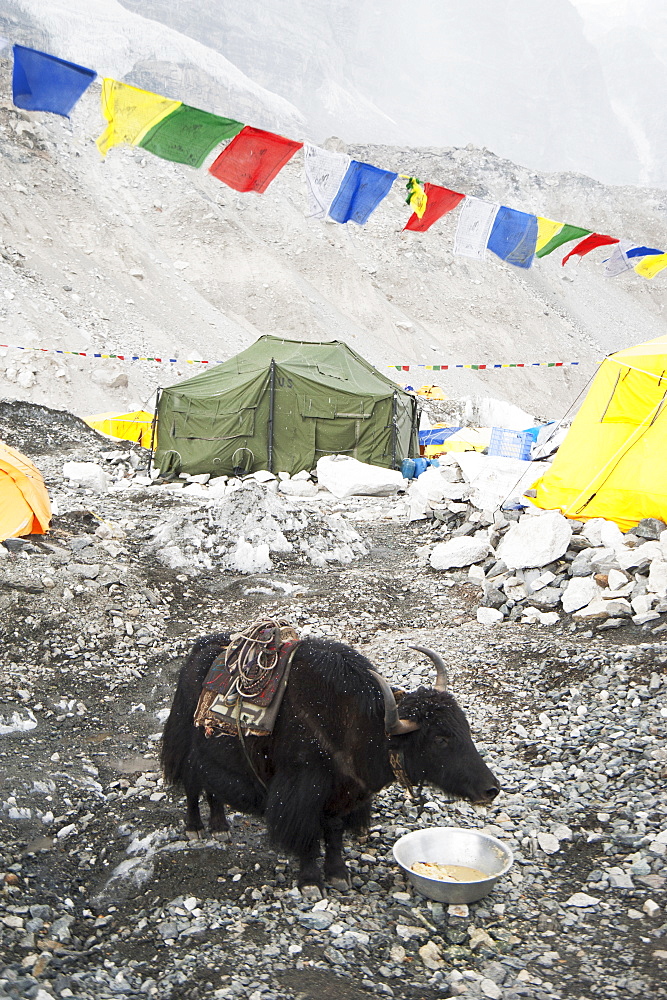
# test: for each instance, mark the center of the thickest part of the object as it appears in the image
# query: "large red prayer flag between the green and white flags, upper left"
(252, 159)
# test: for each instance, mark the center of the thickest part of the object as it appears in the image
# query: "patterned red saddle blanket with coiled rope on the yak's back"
(244, 687)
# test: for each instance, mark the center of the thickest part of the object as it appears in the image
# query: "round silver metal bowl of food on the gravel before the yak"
(453, 845)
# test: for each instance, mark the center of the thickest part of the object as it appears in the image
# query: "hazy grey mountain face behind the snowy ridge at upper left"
(530, 81)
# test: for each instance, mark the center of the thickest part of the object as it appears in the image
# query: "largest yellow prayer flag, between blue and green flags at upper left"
(131, 113)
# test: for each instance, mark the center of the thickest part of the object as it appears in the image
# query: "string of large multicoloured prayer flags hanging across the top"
(340, 189)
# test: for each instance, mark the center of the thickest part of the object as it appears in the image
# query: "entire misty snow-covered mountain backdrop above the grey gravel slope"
(564, 85)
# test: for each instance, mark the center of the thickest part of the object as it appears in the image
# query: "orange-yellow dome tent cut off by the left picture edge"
(24, 502)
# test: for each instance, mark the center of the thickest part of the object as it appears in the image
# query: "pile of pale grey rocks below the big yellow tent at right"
(533, 565)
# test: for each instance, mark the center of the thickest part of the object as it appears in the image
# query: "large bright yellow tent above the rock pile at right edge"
(611, 464)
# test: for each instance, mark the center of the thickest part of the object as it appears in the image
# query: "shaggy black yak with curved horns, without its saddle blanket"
(337, 740)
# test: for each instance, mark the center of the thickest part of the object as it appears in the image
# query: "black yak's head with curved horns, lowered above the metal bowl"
(431, 735)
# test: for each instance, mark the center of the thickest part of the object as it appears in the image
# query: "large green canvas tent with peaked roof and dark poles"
(280, 405)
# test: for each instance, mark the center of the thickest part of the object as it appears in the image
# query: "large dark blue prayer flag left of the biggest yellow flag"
(44, 83)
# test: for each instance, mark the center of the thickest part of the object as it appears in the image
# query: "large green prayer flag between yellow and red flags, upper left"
(188, 135)
